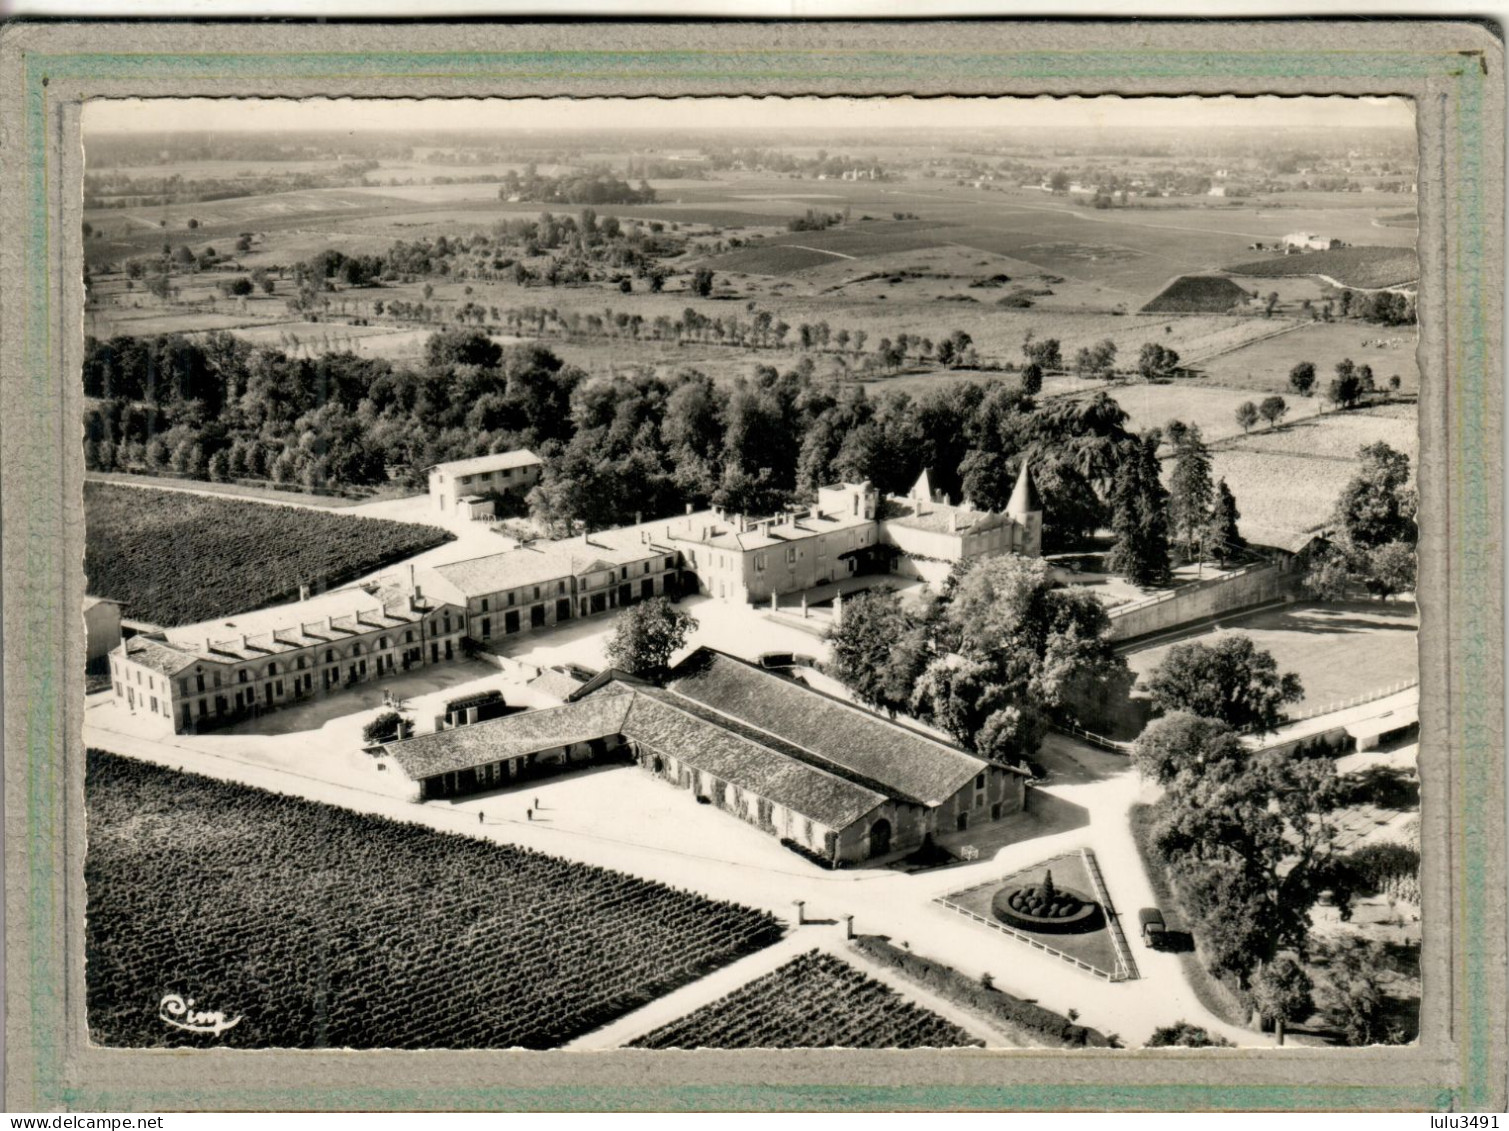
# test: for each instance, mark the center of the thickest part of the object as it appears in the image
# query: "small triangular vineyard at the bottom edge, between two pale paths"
(814, 1002)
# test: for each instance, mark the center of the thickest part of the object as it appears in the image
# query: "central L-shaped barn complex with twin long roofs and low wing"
(826, 777)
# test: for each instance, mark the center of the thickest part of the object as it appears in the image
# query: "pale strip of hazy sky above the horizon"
(764, 114)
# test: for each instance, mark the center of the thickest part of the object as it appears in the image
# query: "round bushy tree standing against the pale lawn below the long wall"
(1232, 681)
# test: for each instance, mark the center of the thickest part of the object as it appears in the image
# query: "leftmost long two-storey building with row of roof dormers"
(201, 676)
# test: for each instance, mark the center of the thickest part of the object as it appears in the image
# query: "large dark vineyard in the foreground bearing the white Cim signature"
(321, 928)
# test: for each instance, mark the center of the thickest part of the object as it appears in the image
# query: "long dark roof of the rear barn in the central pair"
(853, 741)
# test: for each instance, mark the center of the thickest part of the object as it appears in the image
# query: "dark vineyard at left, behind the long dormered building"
(176, 559)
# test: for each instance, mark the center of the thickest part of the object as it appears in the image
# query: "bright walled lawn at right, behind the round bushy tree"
(1339, 652)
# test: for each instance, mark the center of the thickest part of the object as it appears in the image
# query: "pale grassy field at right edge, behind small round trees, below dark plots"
(1264, 366)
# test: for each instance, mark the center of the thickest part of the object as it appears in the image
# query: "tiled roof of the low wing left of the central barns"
(529, 732)
